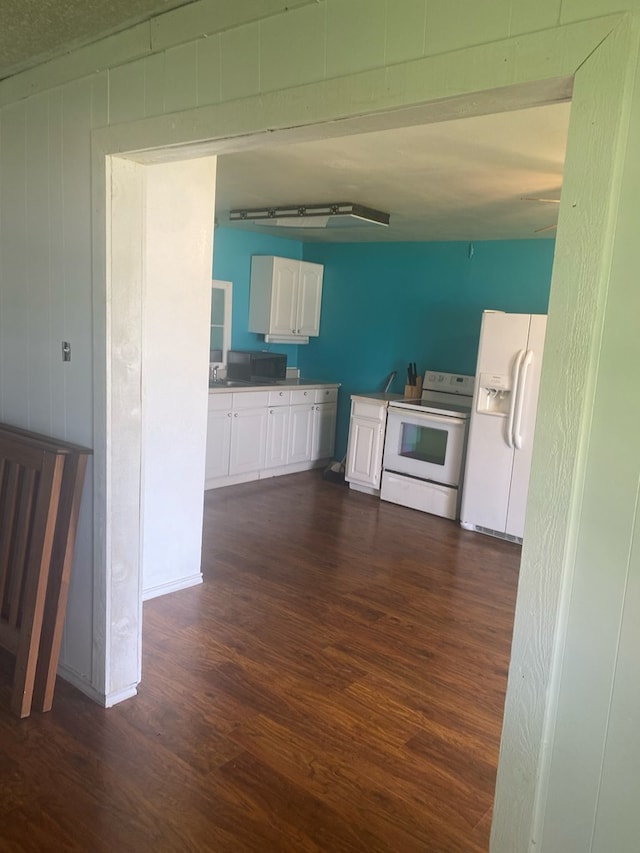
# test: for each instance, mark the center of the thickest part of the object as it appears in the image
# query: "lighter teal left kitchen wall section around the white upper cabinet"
(232, 251)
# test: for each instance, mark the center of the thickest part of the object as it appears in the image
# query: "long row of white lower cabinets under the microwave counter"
(254, 434)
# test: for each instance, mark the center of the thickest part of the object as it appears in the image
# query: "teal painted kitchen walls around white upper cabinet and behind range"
(389, 303)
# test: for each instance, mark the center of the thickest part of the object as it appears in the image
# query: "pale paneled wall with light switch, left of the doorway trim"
(46, 296)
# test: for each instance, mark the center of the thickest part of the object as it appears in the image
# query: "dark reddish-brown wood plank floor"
(336, 684)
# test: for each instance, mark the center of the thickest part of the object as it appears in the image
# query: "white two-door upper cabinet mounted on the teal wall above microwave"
(285, 299)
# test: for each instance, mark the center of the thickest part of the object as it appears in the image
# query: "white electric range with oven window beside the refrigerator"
(425, 445)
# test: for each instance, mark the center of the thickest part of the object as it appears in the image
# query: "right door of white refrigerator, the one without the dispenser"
(526, 408)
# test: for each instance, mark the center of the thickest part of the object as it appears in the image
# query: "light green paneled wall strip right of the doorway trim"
(594, 758)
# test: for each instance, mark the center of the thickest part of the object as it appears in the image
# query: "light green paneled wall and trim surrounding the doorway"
(221, 69)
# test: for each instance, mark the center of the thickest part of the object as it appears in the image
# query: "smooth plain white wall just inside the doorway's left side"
(176, 309)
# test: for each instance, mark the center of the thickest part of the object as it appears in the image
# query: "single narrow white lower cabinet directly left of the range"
(366, 443)
